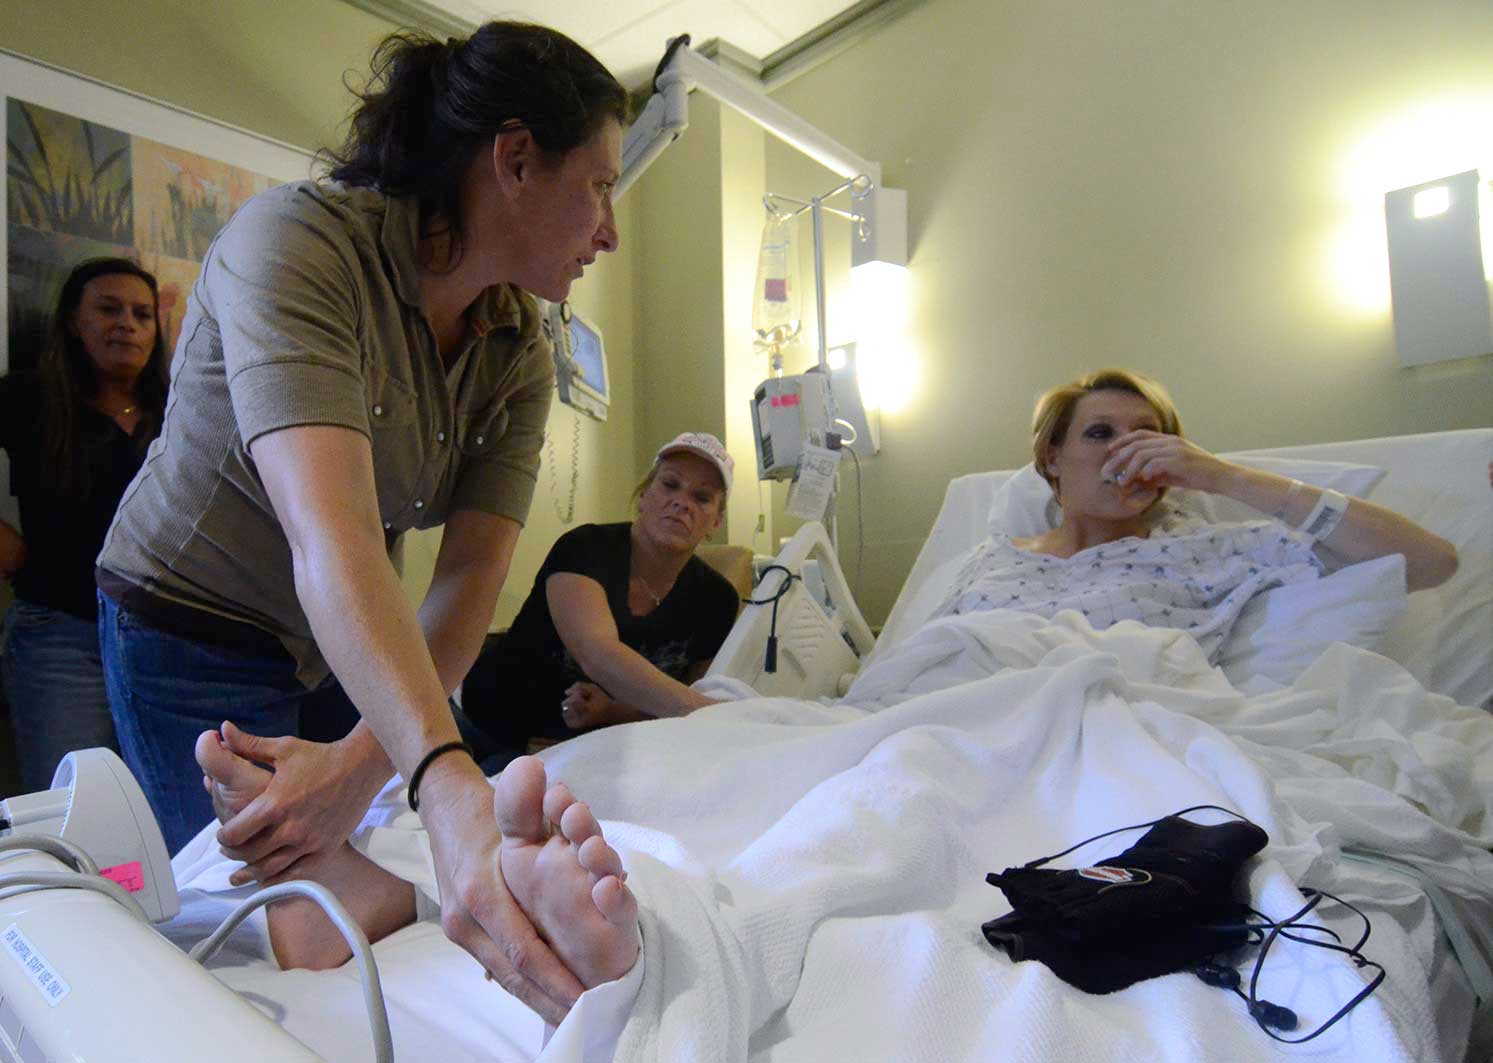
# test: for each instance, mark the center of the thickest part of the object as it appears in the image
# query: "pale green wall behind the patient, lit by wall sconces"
(1192, 190)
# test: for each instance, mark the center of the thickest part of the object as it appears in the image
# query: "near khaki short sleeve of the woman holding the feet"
(280, 287)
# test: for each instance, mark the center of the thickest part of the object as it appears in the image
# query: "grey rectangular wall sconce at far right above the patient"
(1439, 284)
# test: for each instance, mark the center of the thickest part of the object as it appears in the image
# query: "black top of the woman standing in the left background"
(63, 534)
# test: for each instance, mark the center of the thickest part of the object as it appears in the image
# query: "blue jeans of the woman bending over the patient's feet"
(166, 691)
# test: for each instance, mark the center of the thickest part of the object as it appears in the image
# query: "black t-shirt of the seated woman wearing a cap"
(517, 686)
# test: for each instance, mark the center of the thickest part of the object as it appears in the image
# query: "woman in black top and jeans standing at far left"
(77, 431)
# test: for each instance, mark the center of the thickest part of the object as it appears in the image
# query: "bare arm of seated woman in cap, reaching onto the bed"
(585, 622)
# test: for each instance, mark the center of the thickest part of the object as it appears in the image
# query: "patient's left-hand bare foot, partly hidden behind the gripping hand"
(301, 932)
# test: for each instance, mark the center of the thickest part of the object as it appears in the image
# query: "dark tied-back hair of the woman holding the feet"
(429, 107)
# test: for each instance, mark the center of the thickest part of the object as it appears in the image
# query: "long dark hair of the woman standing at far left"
(69, 378)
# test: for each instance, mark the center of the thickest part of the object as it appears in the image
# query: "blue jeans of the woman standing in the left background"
(54, 685)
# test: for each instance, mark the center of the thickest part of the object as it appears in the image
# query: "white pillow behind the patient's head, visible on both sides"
(1025, 507)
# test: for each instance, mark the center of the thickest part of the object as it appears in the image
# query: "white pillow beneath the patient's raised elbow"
(1283, 631)
